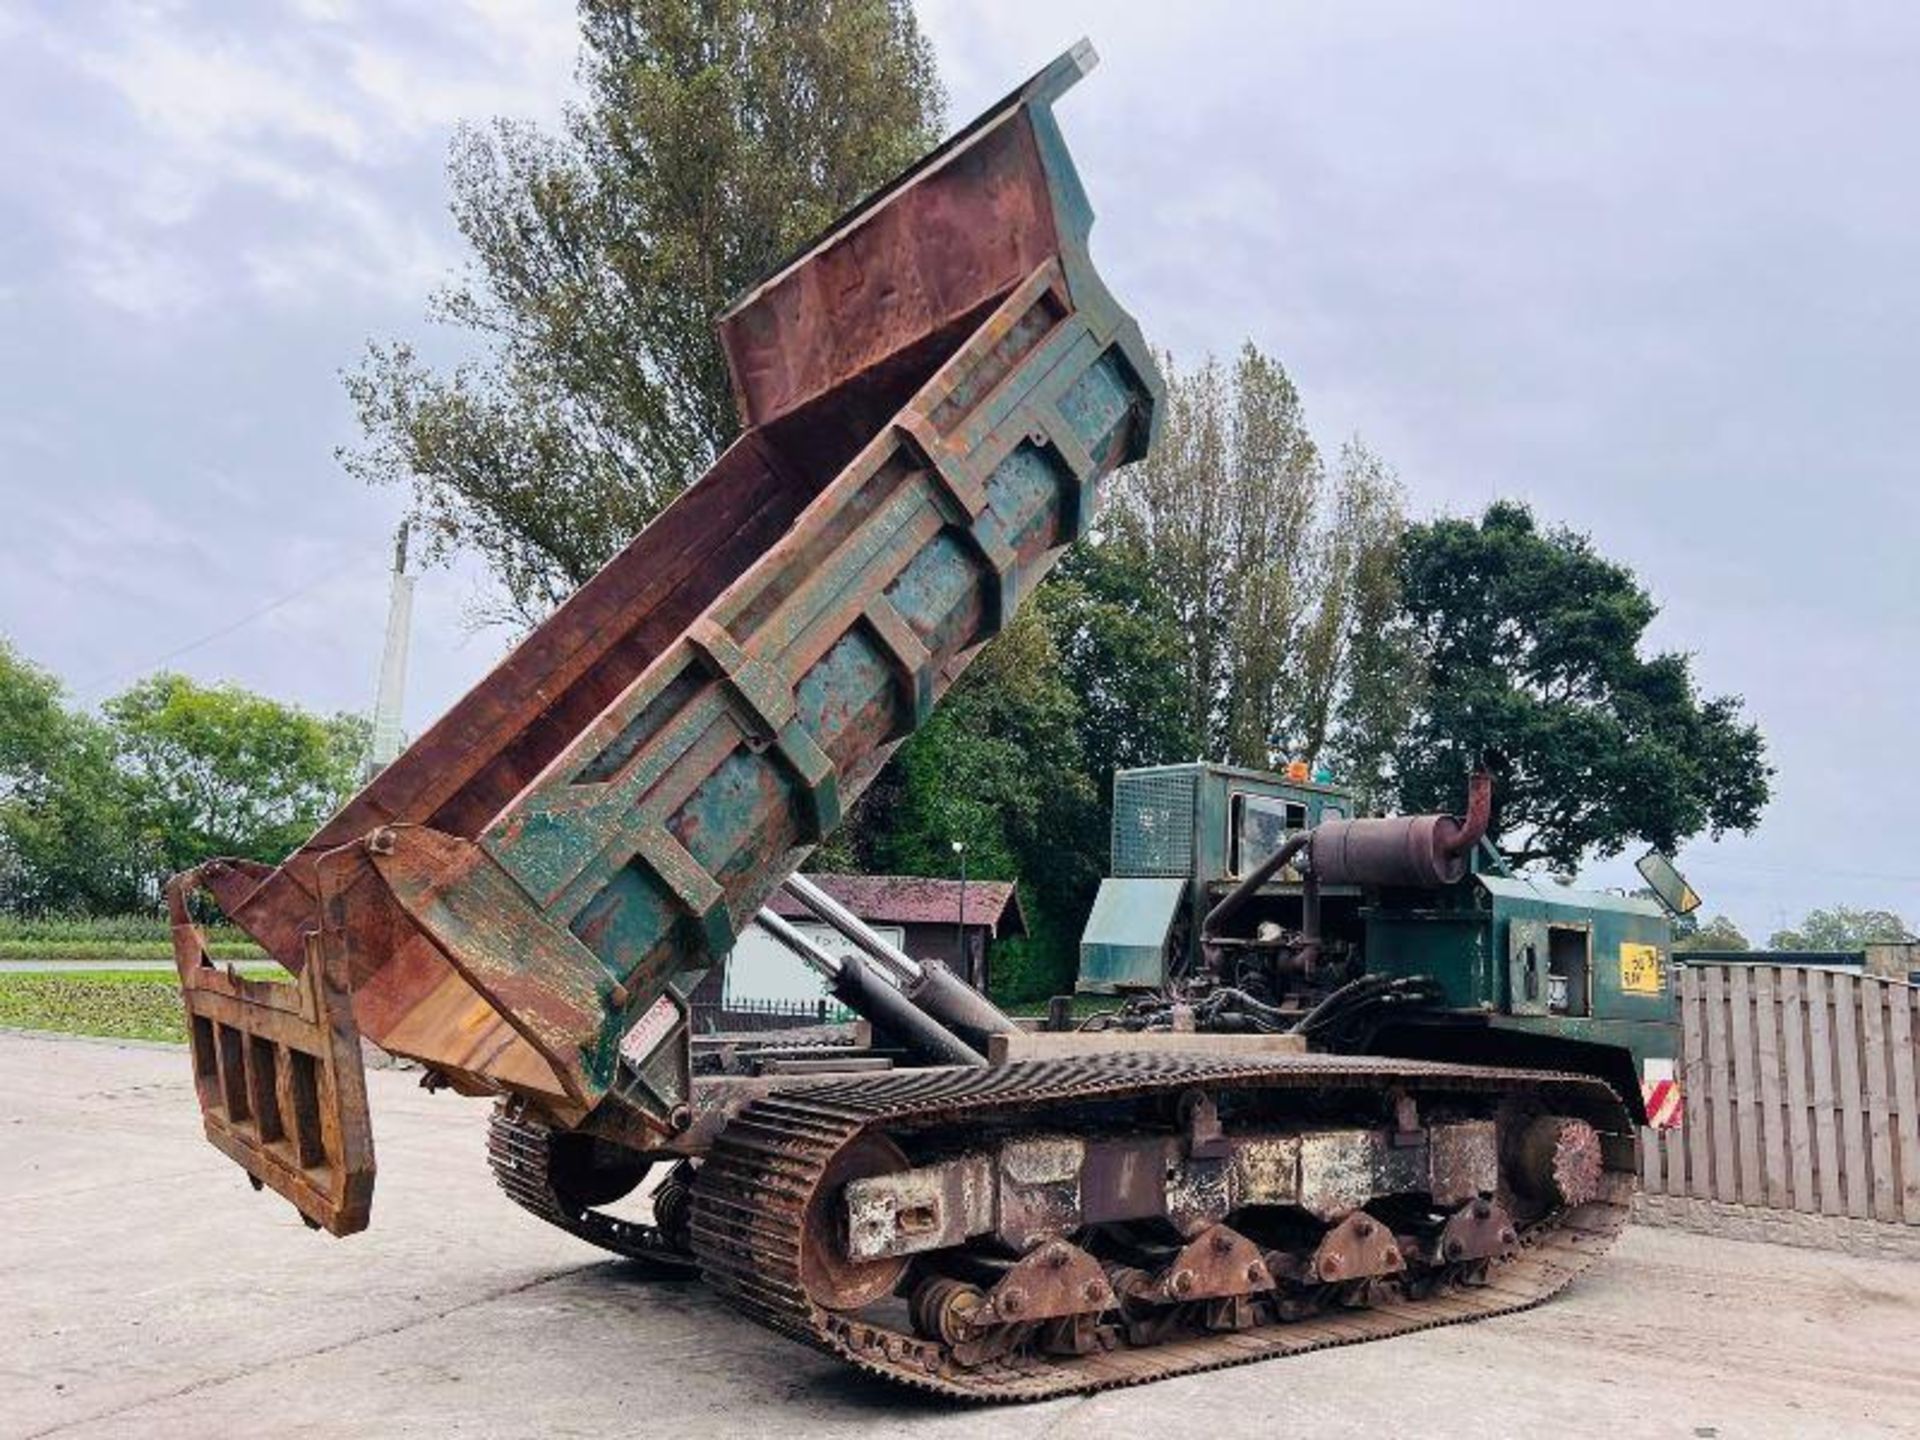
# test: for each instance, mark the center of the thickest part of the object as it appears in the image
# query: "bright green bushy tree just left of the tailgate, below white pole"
(220, 771)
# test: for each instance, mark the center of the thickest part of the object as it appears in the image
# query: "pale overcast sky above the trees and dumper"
(1652, 268)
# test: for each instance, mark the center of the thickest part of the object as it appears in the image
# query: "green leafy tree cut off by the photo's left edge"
(66, 842)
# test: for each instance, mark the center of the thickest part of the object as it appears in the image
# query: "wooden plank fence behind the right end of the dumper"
(1800, 1093)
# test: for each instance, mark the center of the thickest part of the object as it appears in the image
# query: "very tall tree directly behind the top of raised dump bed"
(713, 137)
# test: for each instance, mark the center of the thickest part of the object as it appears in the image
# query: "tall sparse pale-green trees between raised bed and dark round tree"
(1272, 569)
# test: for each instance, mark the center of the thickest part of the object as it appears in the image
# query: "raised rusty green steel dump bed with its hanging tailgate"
(523, 901)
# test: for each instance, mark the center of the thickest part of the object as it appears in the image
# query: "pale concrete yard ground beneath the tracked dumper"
(147, 1291)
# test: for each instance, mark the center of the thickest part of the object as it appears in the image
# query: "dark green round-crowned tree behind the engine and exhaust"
(1529, 656)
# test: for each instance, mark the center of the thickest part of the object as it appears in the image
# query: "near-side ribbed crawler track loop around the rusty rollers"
(752, 1195)
